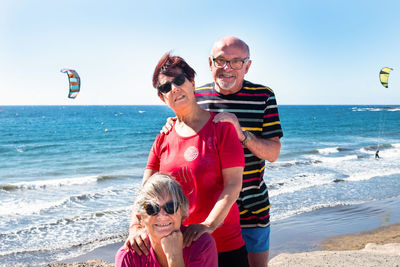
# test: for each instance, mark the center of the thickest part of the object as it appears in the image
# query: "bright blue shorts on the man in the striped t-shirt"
(256, 239)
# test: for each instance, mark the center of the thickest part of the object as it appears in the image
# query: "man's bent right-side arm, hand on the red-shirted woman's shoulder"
(268, 149)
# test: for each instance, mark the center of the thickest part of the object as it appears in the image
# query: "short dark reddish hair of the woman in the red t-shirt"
(168, 65)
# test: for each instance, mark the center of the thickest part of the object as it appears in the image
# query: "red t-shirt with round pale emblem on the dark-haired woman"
(197, 162)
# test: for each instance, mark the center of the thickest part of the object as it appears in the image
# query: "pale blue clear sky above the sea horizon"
(309, 52)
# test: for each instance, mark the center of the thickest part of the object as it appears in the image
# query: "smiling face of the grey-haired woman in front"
(162, 224)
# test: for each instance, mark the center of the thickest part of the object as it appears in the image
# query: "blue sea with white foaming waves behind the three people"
(68, 174)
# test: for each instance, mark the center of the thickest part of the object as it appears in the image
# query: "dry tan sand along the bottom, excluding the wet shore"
(378, 247)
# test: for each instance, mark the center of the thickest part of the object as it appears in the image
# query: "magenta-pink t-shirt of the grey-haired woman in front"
(201, 253)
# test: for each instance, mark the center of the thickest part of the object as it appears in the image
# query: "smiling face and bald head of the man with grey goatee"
(228, 80)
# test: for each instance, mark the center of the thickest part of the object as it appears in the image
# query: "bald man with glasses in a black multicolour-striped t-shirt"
(253, 111)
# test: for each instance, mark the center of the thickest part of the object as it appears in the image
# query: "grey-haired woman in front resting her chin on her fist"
(160, 207)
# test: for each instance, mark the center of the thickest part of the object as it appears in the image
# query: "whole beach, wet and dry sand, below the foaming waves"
(365, 234)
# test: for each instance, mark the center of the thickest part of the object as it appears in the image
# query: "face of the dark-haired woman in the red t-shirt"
(180, 96)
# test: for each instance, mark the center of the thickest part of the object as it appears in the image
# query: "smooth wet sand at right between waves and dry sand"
(307, 231)
